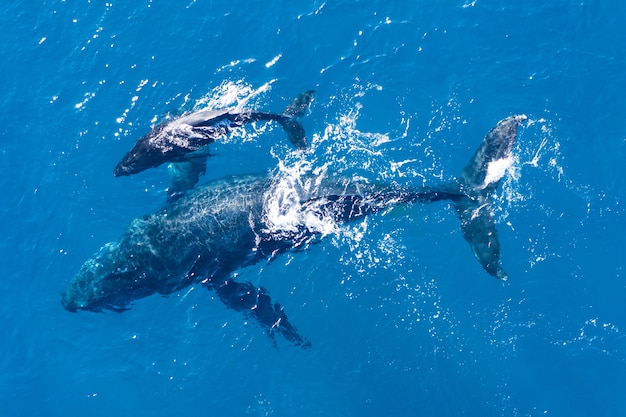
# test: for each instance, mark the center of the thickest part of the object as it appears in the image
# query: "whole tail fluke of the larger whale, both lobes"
(477, 182)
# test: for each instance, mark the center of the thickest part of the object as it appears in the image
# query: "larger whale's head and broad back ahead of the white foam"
(167, 250)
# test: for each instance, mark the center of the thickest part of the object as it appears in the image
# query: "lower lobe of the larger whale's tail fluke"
(479, 230)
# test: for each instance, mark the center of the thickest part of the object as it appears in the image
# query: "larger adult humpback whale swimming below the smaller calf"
(225, 225)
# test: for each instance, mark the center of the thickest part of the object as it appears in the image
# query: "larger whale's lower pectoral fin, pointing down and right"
(256, 303)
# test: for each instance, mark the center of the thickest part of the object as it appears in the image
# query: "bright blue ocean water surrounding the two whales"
(402, 319)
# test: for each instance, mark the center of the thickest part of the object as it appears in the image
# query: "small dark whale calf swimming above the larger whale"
(185, 138)
